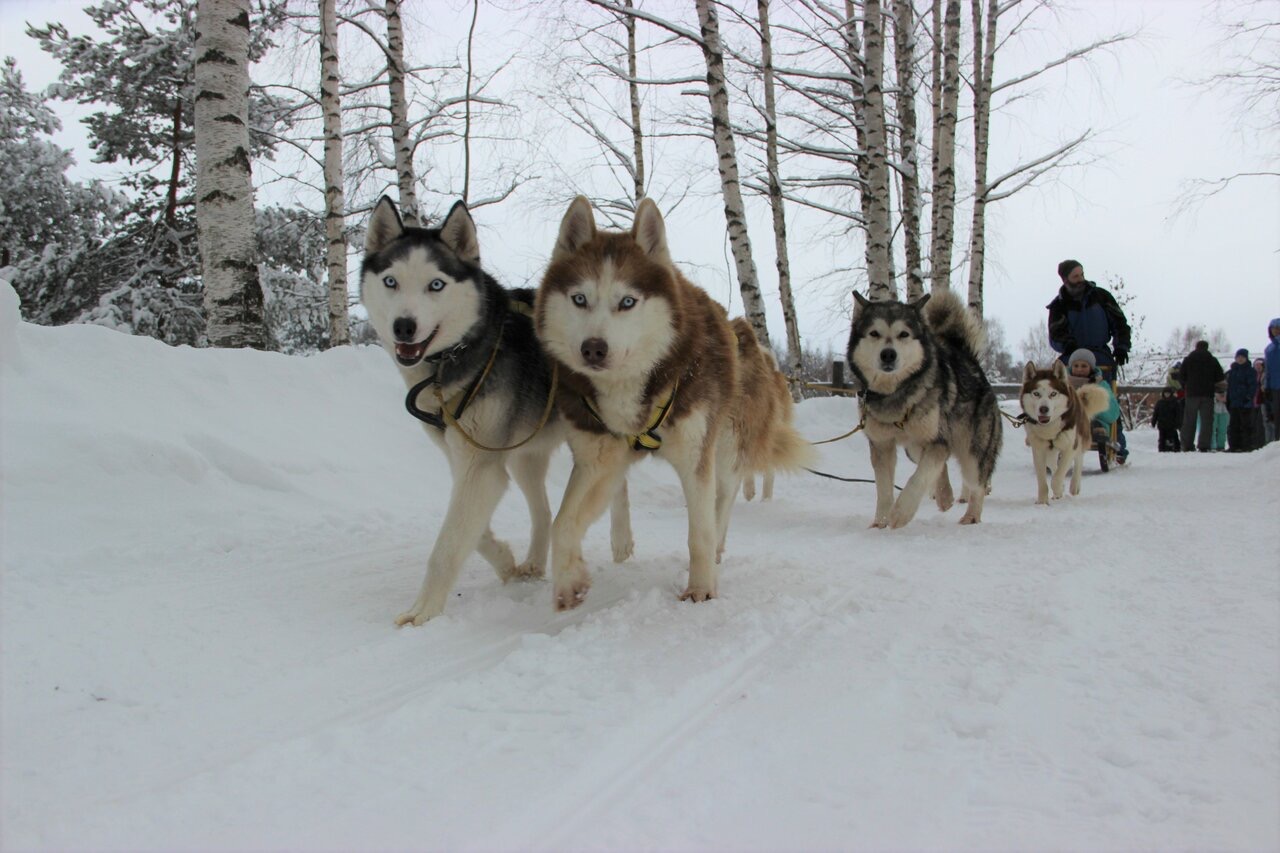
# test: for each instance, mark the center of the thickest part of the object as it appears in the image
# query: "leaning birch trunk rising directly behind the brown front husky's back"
(726, 157)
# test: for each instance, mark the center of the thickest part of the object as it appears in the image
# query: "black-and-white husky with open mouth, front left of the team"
(461, 339)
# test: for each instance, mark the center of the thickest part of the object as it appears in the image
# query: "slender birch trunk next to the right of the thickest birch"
(335, 223)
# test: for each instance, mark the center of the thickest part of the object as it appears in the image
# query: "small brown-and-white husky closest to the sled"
(1057, 418)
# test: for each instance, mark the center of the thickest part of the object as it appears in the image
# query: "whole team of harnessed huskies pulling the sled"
(624, 358)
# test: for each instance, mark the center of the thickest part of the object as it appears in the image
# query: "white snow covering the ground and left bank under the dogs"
(204, 551)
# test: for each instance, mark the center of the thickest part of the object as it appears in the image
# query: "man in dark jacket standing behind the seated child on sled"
(1084, 316)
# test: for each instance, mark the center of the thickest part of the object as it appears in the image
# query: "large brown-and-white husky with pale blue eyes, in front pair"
(650, 364)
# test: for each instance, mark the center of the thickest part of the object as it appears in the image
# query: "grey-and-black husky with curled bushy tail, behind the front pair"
(925, 389)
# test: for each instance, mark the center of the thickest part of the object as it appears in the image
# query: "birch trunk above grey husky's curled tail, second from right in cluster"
(945, 113)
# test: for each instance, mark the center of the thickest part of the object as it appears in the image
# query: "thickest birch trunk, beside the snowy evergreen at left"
(225, 186)
